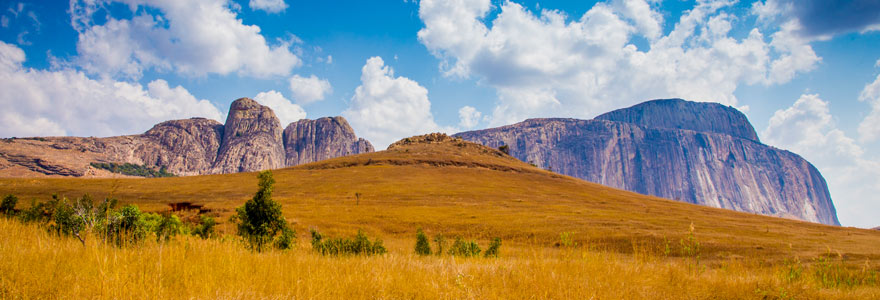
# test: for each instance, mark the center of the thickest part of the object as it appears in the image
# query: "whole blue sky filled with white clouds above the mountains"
(806, 73)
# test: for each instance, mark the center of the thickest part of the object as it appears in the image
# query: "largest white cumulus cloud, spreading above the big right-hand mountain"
(546, 65)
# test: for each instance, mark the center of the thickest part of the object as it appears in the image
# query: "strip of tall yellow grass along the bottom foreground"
(35, 264)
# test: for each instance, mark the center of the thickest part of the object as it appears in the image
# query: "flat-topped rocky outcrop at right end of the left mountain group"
(308, 141)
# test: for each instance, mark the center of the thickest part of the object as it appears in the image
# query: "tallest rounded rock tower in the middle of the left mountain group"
(251, 139)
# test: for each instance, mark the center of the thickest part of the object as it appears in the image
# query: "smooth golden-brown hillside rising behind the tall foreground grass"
(448, 185)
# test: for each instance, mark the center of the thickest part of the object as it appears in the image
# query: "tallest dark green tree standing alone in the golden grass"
(260, 219)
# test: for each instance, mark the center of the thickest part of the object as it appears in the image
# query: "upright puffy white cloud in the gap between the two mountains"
(386, 108)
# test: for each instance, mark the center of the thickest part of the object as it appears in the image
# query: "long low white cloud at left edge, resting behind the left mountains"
(67, 102)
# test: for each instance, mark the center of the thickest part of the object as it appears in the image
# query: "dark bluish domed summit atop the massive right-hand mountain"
(688, 115)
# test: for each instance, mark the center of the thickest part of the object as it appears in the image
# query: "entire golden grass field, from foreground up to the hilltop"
(627, 245)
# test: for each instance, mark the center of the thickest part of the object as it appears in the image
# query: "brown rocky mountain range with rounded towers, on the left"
(252, 139)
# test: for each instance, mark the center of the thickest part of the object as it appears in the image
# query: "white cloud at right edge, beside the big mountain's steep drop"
(807, 128)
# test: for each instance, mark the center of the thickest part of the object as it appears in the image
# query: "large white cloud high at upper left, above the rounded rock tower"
(187, 37)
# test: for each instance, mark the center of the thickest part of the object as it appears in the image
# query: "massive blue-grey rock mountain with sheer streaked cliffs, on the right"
(702, 153)
